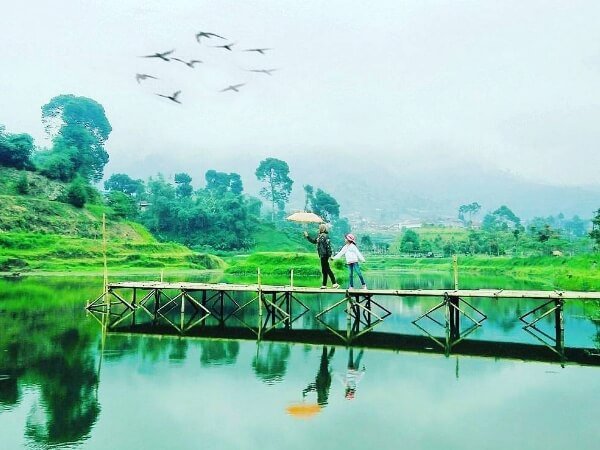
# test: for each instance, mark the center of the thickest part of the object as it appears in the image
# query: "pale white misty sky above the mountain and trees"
(514, 85)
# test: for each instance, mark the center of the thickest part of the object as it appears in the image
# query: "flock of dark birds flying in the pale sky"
(168, 56)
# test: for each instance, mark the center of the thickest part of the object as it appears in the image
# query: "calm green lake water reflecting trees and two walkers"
(64, 385)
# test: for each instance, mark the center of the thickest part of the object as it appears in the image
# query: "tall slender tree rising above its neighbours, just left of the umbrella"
(275, 173)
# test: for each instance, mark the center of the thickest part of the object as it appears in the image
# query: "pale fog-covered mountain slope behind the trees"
(387, 191)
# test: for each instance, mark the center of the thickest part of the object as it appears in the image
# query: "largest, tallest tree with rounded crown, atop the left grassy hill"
(79, 123)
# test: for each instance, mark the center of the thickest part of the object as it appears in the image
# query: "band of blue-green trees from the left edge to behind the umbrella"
(219, 215)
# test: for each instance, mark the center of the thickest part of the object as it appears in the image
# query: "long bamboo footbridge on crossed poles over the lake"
(184, 307)
